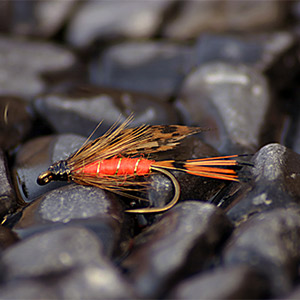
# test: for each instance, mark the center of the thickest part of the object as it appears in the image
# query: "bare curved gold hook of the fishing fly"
(166, 207)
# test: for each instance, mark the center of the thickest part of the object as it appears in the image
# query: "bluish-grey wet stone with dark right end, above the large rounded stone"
(269, 53)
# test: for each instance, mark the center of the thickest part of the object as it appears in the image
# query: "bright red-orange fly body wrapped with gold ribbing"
(119, 166)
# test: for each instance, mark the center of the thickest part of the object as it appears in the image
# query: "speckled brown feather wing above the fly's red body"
(123, 141)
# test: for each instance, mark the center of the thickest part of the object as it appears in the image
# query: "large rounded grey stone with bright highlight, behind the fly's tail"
(232, 99)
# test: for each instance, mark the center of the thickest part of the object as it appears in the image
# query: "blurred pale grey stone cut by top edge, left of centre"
(111, 20)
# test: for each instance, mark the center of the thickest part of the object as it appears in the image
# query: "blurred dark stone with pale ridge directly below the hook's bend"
(182, 242)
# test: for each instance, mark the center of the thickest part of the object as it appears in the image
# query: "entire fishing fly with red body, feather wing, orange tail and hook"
(113, 161)
